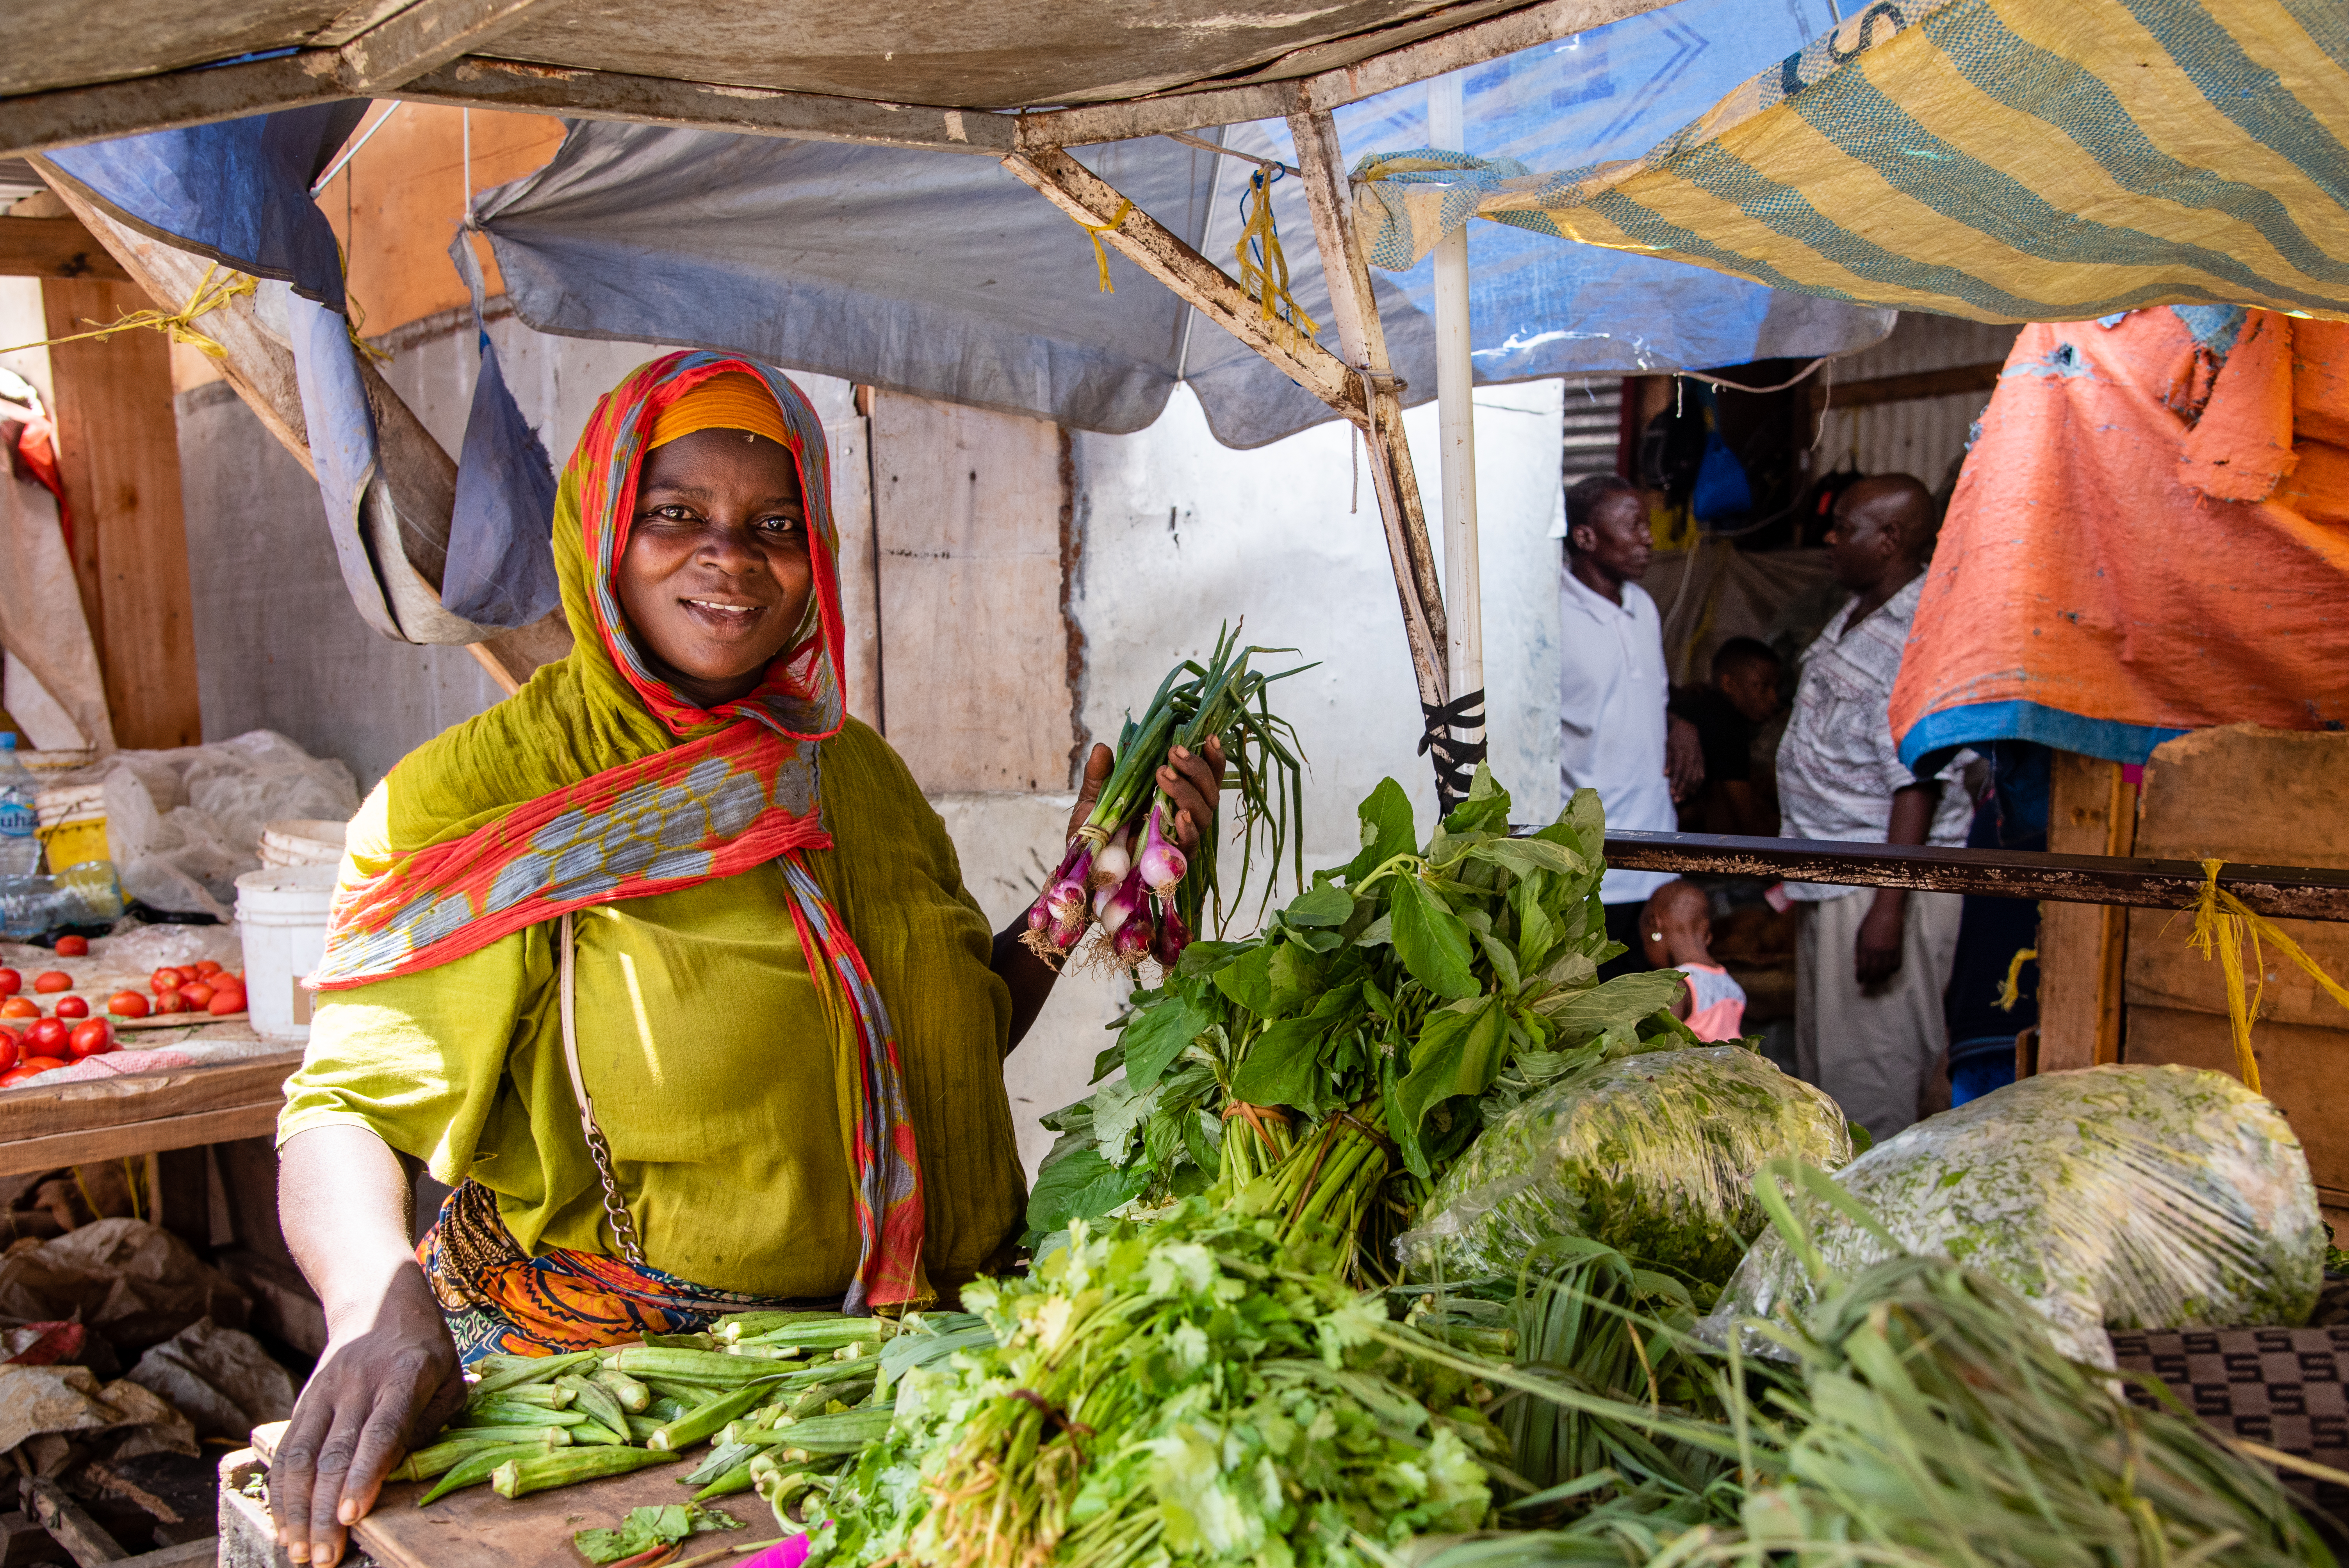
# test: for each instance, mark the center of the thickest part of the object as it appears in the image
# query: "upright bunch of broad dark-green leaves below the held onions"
(1401, 989)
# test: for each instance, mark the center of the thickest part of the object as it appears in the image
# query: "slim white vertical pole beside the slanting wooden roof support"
(1455, 379)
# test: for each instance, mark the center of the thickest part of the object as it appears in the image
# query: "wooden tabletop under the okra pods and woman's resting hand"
(480, 1529)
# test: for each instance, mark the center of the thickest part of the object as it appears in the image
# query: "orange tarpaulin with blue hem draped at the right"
(2148, 539)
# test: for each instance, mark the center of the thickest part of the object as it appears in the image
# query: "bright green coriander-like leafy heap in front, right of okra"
(1171, 1393)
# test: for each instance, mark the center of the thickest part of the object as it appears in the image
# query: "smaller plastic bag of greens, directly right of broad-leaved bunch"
(1653, 1154)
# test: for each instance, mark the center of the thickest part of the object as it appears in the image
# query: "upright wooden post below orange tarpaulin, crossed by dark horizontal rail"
(2082, 947)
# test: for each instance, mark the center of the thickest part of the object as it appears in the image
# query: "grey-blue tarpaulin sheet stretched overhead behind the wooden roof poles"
(938, 273)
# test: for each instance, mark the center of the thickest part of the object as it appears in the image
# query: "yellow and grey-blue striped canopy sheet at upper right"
(2005, 161)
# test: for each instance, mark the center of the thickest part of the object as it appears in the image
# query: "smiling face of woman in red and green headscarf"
(718, 572)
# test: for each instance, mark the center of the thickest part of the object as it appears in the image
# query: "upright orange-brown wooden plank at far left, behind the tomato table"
(119, 457)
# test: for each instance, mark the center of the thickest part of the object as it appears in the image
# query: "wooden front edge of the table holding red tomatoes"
(48, 1128)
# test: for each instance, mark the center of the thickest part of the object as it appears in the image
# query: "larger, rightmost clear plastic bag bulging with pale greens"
(2108, 1198)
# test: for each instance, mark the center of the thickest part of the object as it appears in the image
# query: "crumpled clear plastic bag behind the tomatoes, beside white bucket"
(184, 825)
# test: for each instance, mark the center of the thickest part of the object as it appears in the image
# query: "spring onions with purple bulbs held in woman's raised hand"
(1124, 867)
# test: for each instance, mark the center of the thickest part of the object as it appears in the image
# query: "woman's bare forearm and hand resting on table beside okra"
(391, 1374)
